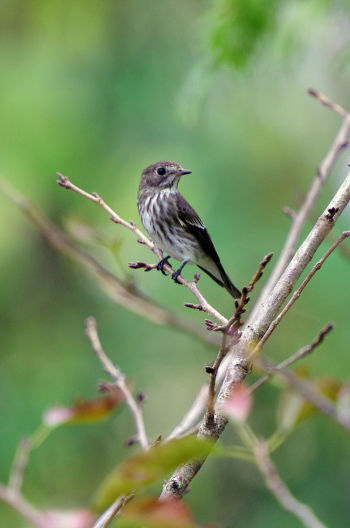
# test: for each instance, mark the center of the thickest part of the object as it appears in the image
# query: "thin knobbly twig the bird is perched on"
(64, 181)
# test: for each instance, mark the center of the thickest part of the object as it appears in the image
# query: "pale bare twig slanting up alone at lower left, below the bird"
(119, 379)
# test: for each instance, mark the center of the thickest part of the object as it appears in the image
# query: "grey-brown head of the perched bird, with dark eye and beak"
(163, 175)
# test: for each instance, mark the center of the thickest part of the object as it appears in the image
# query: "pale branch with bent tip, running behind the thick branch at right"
(323, 171)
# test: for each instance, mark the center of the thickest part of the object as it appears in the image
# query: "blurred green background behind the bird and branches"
(99, 90)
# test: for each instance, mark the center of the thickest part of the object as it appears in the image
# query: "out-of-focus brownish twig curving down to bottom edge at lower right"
(280, 491)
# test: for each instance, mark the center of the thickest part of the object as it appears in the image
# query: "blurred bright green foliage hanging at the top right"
(240, 29)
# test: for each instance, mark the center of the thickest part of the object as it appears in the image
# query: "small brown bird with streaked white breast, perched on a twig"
(175, 227)
